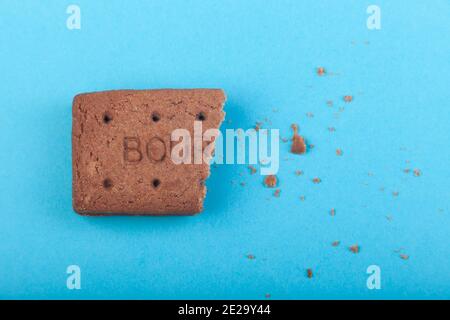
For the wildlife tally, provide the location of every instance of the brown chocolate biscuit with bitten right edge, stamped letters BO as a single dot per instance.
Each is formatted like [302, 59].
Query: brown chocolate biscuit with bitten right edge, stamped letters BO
[121, 150]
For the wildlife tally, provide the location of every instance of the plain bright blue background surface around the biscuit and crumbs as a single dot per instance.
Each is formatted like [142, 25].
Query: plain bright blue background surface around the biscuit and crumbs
[264, 55]
